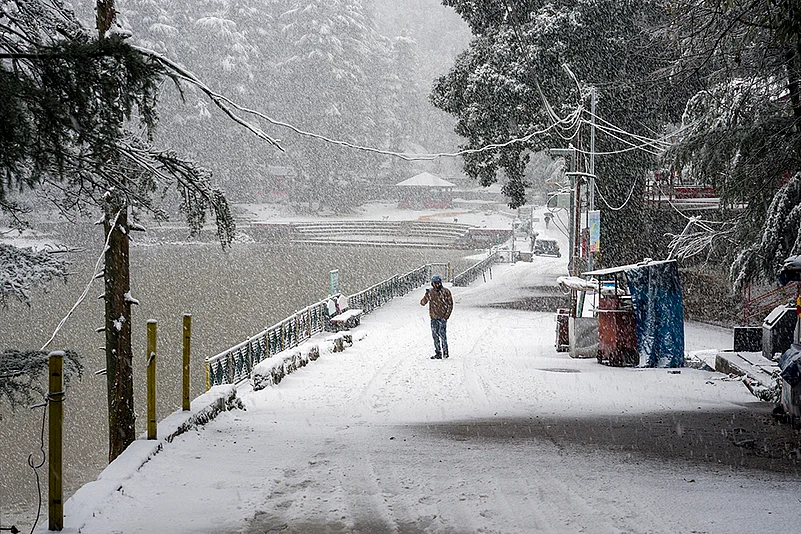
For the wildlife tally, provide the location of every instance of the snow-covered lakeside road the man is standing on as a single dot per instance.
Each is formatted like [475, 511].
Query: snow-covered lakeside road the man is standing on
[505, 436]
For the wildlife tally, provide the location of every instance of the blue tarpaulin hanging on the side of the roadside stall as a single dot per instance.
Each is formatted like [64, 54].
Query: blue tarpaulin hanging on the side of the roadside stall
[659, 309]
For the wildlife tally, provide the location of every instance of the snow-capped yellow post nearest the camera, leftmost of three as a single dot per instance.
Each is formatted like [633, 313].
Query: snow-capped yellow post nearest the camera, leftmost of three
[55, 507]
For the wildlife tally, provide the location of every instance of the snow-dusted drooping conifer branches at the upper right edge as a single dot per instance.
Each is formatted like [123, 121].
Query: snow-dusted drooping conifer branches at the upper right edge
[742, 127]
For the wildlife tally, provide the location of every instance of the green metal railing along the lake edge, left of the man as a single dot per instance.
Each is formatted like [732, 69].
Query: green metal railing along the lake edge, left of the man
[236, 363]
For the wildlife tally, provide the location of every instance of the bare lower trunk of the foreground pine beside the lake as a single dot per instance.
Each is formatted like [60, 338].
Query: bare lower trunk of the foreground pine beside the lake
[119, 369]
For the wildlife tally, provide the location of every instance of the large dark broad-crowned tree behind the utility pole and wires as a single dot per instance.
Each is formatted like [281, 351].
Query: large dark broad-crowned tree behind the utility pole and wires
[497, 89]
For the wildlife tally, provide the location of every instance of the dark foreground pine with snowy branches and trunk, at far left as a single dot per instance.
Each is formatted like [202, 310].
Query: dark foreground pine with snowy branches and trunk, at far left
[71, 104]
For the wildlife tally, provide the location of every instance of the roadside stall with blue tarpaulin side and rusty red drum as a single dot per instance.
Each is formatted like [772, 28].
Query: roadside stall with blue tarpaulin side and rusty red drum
[640, 315]
